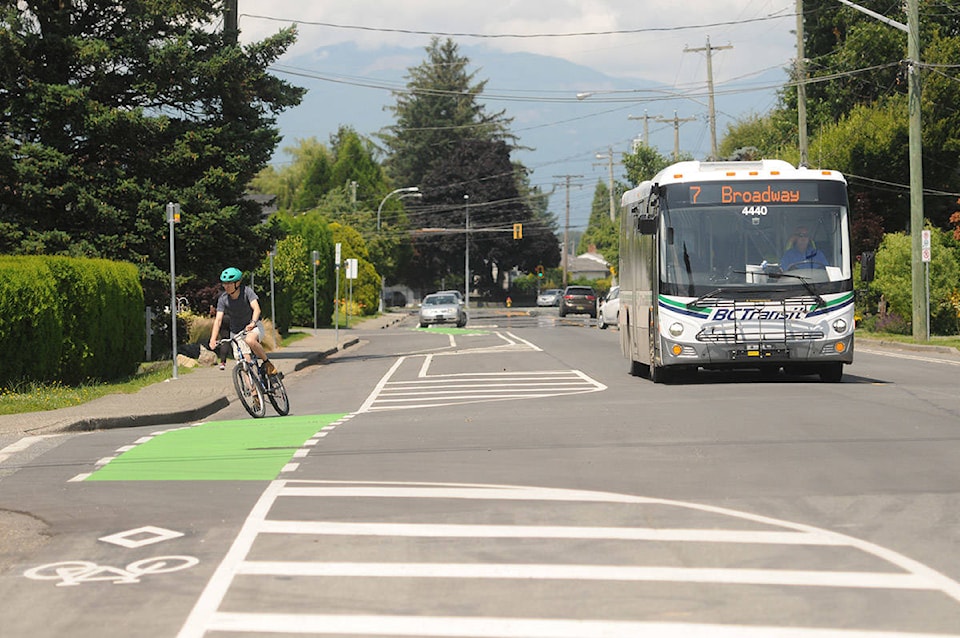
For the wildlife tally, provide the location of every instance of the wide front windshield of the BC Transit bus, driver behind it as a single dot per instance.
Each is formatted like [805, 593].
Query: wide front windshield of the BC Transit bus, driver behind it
[758, 245]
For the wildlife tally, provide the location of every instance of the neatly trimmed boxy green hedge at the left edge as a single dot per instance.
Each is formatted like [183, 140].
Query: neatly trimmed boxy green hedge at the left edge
[69, 320]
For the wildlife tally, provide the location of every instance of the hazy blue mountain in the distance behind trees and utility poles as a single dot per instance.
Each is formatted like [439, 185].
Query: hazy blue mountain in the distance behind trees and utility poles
[351, 86]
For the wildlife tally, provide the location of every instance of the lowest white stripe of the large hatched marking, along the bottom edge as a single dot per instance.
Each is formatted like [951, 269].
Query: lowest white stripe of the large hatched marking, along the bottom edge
[320, 624]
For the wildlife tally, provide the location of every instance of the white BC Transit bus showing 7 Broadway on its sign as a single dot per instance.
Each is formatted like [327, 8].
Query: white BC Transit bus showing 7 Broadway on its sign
[737, 265]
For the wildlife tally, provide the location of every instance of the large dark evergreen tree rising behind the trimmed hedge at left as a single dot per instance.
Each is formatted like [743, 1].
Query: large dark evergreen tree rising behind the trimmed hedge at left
[111, 109]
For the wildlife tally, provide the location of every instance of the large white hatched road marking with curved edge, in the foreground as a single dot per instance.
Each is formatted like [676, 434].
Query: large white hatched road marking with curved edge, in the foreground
[901, 573]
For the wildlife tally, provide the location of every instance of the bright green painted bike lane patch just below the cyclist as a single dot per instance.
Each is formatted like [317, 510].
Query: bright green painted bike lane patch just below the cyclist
[239, 450]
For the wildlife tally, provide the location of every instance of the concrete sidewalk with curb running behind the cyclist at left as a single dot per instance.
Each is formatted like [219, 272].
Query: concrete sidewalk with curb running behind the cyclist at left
[195, 394]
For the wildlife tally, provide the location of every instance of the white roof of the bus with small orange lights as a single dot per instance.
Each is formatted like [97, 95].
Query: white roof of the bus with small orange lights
[696, 171]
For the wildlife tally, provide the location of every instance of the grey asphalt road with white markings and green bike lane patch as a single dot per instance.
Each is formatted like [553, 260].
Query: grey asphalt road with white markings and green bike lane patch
[510, 479]
